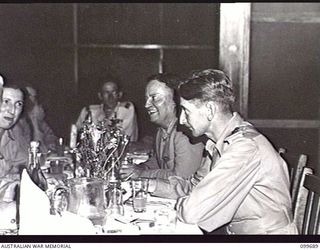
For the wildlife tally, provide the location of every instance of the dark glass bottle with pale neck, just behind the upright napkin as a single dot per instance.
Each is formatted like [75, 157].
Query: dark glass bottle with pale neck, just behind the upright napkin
[34, 166]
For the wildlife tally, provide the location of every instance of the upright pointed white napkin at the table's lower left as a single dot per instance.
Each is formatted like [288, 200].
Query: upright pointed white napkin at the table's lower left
[35, 217]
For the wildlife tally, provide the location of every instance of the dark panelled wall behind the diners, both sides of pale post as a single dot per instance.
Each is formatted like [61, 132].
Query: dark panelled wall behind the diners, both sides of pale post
[63, 49]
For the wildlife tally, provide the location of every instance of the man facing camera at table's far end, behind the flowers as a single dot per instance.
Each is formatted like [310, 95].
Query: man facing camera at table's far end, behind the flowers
[121, 114]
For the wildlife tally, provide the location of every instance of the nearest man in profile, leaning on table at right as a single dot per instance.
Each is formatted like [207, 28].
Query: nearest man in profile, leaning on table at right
[247, 187]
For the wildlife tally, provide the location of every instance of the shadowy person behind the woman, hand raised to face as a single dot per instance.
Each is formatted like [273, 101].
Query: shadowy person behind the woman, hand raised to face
[33, 122]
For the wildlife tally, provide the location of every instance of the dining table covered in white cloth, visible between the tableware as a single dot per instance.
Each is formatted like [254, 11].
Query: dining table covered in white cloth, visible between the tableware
[158, 218]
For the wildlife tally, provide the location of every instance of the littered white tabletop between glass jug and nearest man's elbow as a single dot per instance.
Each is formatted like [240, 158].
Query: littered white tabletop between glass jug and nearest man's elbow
[159, 218]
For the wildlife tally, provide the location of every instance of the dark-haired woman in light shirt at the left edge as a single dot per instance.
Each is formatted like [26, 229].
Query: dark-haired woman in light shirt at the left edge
[13, 144]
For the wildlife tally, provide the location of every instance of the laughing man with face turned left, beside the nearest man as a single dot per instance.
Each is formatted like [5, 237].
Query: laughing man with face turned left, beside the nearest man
[175, 155]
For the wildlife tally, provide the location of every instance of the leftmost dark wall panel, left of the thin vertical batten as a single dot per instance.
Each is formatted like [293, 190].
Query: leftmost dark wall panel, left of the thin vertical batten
[36, 46]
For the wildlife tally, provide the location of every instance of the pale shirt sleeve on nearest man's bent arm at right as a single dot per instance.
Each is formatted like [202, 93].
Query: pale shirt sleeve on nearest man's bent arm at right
[217, 197]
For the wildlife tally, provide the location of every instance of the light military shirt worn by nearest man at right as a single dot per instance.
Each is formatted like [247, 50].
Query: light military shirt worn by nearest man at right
[247, 186]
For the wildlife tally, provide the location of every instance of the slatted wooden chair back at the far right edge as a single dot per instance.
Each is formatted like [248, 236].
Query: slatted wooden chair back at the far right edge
[311, 221]
